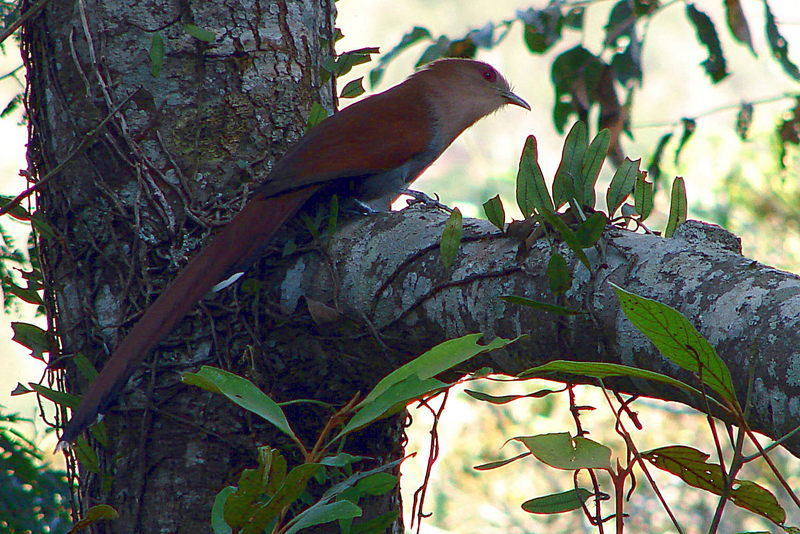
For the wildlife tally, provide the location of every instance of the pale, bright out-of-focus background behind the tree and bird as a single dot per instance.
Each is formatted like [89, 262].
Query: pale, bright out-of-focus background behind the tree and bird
[748, 186]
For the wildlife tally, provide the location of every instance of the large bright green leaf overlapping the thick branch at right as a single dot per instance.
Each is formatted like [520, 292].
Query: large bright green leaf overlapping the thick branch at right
[678, 341]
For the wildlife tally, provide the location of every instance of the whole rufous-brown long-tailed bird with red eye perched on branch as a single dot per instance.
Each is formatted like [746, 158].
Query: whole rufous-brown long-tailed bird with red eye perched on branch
[372, 150]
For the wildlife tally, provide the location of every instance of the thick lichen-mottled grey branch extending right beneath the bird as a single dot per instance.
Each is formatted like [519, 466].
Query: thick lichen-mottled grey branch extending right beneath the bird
[748, 311]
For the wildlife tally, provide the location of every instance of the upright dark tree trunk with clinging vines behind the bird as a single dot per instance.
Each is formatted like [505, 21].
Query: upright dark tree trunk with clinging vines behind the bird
[156, 120]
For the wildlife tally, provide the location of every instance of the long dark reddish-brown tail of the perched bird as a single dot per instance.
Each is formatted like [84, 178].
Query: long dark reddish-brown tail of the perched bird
[241, 239]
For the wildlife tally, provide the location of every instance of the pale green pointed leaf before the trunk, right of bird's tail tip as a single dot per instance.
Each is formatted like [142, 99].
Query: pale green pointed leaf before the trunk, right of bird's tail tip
[242, 392]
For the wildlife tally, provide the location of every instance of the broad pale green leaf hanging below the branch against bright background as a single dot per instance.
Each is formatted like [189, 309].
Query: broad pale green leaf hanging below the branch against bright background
[562, 451]
